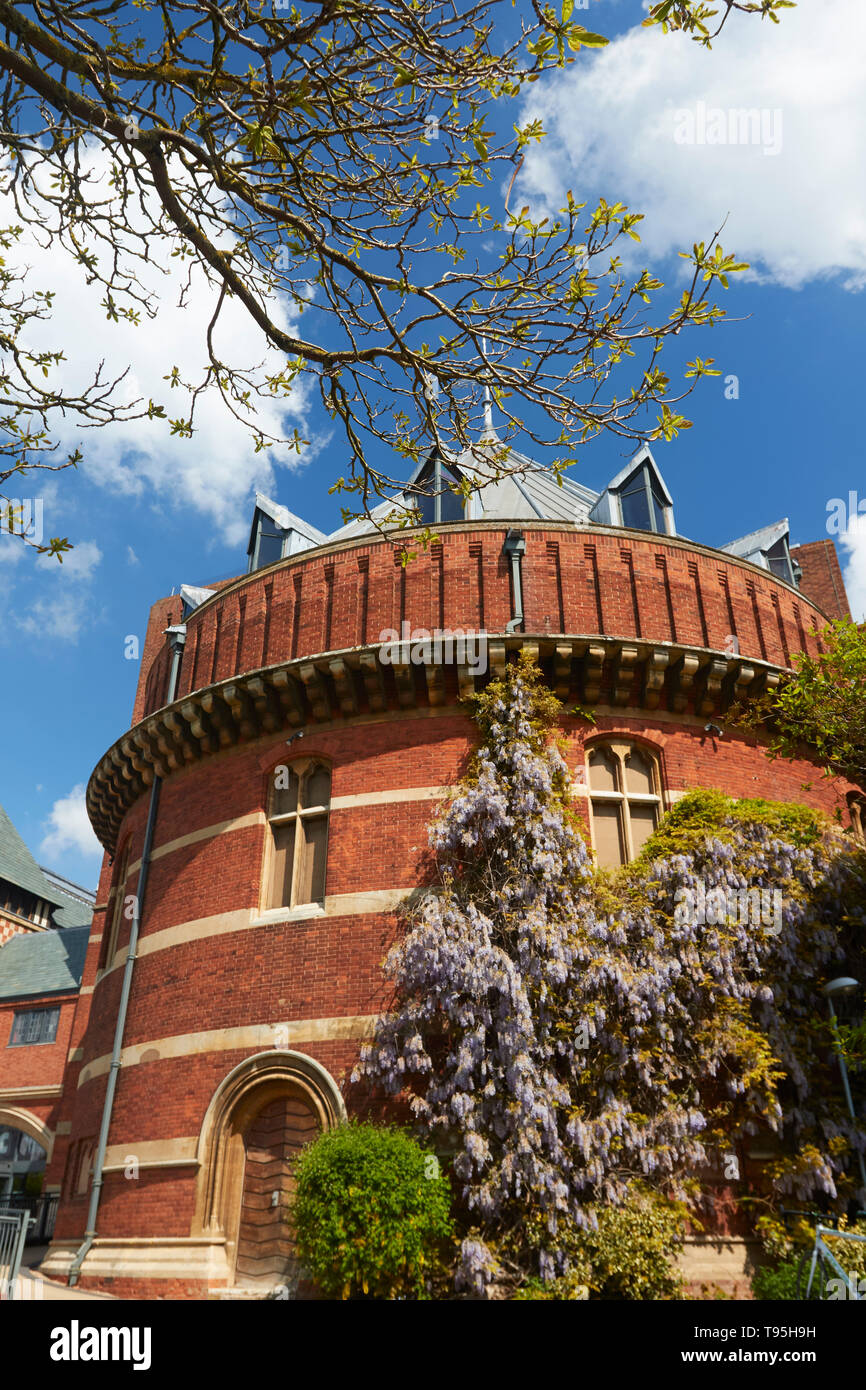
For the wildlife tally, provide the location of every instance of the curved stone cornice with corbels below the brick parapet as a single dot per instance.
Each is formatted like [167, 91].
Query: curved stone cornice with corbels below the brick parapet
[333, 689]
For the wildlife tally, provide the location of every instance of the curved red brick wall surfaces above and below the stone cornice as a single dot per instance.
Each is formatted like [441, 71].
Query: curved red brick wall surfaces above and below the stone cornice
[230, 974]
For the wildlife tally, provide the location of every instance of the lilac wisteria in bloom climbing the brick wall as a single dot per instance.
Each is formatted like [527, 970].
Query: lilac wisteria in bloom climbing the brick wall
[568, 1036]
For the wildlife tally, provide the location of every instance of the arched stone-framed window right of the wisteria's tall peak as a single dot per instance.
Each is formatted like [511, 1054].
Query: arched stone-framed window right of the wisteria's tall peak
[625, 800]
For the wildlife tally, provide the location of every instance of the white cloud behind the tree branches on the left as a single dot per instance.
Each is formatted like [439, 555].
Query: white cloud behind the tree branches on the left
[216, 469]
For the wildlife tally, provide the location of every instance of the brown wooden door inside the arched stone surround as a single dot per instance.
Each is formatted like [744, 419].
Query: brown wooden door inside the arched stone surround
[276, 1136]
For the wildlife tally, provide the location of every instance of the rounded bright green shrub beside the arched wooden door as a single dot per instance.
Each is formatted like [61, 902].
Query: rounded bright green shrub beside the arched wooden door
[372, 1214]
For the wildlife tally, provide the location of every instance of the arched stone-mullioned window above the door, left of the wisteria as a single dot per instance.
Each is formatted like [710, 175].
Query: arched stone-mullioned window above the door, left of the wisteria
[298, 818]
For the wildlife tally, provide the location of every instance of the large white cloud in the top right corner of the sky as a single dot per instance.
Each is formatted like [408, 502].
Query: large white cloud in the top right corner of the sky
[796, 215]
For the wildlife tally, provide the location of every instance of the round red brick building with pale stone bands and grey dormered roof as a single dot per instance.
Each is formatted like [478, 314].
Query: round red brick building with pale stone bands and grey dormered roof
[293, 735]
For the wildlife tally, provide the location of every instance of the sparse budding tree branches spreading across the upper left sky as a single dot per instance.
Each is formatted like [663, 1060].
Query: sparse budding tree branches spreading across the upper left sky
[336, 167]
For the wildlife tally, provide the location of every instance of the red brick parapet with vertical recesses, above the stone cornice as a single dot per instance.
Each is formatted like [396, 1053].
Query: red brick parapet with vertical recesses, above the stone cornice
[578, 582]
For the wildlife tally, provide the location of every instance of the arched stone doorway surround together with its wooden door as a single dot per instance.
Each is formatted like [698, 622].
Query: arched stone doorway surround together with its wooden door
[258, 1121]
